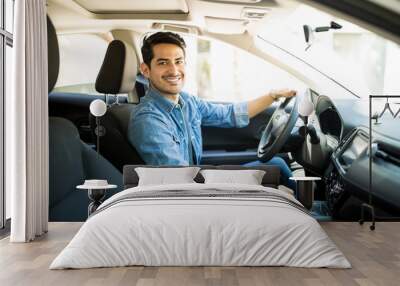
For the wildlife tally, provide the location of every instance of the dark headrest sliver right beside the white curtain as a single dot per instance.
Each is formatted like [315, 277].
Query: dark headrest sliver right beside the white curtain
[53, 55]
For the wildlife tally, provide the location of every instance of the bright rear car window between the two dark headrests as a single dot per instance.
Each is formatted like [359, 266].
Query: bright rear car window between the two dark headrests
[81, 56]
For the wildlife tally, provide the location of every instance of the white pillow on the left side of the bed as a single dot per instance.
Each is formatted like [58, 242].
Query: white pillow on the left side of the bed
[164, 176]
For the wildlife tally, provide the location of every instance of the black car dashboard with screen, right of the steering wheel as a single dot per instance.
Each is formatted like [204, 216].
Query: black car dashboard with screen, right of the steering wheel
[342, 159]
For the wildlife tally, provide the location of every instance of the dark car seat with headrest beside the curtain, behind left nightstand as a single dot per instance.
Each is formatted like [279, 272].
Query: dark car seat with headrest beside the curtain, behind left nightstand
[71, 161]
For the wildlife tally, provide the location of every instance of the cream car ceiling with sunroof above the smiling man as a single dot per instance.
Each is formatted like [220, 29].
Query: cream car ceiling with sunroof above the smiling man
[102, 15]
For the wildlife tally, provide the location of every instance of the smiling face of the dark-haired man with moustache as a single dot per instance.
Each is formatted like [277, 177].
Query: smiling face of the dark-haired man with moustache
[167, 69]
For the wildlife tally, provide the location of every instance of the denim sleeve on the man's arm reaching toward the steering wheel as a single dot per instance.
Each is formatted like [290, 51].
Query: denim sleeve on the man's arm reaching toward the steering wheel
[223, 115]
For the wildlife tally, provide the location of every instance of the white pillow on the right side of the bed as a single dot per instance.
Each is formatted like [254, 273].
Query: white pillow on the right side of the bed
[248, 177]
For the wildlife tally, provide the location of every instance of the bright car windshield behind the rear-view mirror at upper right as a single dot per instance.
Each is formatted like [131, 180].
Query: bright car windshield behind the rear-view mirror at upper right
[359, 60]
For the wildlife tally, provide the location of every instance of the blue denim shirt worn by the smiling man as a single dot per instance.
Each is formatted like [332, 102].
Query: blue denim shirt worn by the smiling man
[159, 129]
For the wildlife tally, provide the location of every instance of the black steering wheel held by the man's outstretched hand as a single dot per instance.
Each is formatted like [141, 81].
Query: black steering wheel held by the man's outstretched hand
[278, 130]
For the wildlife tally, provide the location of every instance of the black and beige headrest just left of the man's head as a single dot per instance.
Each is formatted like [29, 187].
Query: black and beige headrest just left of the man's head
[118, 71]
